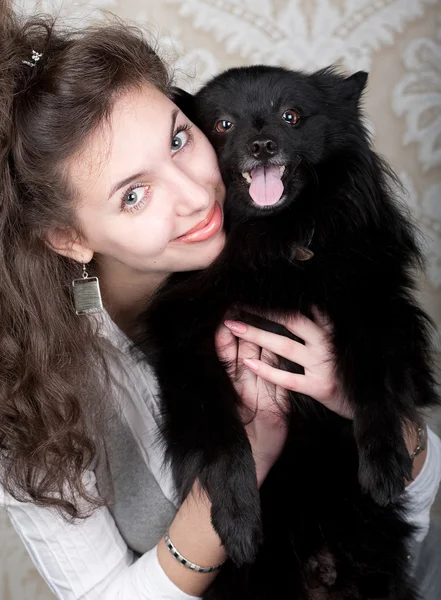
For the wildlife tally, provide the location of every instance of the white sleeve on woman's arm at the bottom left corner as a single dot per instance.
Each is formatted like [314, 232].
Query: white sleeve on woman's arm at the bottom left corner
[88, 559]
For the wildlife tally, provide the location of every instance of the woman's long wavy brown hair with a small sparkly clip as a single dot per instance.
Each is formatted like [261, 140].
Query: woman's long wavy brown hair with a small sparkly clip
[52, 362]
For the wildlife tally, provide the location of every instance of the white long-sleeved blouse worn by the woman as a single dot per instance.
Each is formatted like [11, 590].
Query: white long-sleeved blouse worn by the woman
[89, 560]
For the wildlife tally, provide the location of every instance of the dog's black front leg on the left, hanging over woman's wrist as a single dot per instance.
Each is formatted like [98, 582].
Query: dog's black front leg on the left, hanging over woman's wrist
[204, 437]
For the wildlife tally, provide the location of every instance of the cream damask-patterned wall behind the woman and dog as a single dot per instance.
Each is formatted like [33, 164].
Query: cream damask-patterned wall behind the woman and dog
[397, 41]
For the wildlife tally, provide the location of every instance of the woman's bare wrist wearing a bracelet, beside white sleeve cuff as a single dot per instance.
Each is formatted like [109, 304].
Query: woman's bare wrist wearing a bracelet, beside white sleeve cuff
[194, 537]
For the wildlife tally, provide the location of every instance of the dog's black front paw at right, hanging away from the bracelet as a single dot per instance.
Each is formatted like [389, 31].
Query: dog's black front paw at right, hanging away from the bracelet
[383, 472]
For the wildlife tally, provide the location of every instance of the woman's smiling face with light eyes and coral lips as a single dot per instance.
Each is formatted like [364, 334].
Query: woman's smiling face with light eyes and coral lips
[143, 183]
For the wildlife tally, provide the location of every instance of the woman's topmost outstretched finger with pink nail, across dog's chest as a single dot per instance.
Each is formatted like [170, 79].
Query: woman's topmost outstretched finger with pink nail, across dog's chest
[277, 344]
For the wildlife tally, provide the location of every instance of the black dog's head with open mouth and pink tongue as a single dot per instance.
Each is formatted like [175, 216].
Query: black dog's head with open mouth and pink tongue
[272, 127]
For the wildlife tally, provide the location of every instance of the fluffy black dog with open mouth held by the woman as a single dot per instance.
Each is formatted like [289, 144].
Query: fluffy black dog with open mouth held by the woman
[317, 226]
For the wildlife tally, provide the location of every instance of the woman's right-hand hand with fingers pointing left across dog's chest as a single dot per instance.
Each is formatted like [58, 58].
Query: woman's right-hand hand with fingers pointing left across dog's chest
[315, 356]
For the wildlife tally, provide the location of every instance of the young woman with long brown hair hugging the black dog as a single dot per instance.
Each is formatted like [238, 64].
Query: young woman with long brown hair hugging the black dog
[98, 167]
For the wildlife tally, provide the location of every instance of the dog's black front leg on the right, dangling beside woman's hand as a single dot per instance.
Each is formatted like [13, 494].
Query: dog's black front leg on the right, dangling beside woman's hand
[386, 375]
